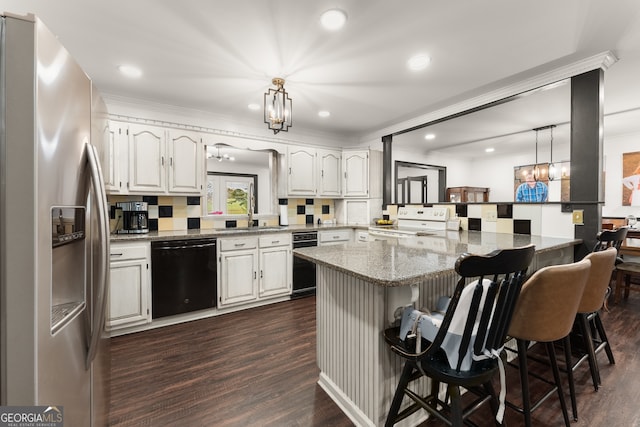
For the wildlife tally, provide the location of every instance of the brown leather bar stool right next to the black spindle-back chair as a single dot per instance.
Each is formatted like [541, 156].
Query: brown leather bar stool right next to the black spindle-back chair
[544, 313]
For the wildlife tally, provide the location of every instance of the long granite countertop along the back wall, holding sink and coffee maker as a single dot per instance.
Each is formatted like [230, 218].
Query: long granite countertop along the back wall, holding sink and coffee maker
[225, 232]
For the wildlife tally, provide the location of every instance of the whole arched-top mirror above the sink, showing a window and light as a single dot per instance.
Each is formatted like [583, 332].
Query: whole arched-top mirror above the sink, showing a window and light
[228, 179]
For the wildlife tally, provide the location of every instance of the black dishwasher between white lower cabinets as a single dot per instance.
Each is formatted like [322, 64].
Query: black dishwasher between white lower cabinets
[183, 276]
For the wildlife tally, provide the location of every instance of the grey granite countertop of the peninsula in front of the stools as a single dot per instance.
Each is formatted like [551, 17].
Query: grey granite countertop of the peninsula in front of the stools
[409, 260]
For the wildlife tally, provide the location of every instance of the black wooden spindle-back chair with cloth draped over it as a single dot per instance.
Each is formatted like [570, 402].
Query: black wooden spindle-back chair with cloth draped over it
[463, 347]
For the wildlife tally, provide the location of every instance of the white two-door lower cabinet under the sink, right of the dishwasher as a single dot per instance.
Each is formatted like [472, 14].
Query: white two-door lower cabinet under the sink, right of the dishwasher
[254, 268]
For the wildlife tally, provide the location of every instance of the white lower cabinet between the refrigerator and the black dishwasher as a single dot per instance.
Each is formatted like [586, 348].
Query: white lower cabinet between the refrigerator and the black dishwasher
[129, 287]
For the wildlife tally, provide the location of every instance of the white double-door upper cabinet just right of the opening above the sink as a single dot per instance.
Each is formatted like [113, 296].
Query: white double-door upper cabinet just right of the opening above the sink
[310, 172]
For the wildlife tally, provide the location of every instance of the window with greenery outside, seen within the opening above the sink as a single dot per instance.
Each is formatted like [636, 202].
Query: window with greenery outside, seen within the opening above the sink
[228, 194]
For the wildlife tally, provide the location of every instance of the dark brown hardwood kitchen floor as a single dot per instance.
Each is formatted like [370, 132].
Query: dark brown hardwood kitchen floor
[257, 368]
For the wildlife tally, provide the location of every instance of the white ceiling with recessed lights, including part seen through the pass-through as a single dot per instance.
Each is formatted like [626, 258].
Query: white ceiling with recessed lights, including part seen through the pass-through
[218, 57]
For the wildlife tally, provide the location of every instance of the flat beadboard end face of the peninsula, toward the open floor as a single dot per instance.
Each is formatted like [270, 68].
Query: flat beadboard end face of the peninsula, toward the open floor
[349, 319]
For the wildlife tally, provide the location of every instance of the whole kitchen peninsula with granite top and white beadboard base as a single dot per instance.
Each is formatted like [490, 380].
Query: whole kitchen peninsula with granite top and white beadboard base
[359, 288]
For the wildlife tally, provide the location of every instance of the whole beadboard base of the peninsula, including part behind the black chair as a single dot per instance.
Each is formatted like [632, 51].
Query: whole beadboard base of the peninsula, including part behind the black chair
[358, 370]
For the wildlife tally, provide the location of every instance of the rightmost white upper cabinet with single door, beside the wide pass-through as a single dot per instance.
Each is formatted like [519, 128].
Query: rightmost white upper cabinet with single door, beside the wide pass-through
[362, 173]
